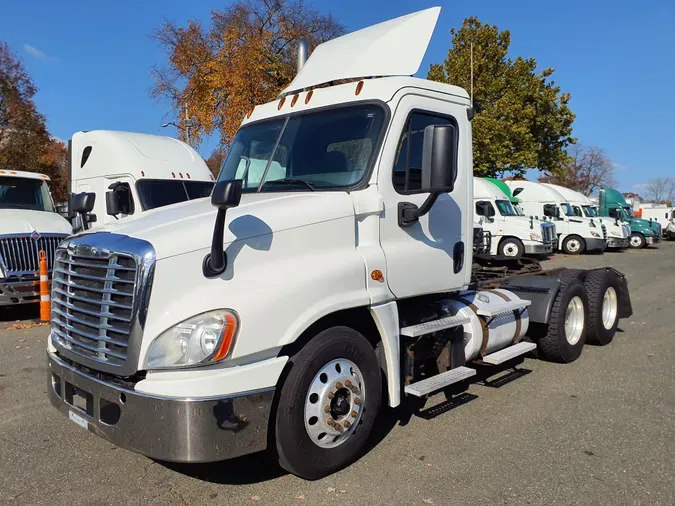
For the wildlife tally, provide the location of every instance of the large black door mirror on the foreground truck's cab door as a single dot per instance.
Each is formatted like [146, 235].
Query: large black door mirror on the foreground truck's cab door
[439, 171]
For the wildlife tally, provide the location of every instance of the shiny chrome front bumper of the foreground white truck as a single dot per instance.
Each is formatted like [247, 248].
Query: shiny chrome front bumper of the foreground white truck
[169, 429]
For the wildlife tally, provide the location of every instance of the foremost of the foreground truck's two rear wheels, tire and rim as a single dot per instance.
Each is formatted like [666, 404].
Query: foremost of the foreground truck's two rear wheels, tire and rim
[566, 333]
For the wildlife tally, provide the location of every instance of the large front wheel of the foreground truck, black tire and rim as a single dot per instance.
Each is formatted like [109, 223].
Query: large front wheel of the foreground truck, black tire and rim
[328, 403]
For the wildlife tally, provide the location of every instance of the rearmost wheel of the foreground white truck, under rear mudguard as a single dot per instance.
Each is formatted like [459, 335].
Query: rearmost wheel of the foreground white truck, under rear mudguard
[603, 306]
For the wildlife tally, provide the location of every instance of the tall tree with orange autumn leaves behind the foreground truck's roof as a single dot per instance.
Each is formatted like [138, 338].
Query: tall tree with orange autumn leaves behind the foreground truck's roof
[246, 57]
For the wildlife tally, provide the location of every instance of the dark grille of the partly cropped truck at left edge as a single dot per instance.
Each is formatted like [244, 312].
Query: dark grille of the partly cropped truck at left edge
[19, 253]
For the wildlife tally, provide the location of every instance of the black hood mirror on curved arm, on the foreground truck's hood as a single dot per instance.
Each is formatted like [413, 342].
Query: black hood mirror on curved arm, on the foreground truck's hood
[225, 195]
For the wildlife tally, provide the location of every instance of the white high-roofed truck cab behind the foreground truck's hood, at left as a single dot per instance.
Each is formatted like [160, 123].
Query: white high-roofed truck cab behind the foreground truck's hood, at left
[130, 173]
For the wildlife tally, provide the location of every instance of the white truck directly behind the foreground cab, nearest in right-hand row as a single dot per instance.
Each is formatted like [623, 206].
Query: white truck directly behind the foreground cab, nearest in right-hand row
[512, 235]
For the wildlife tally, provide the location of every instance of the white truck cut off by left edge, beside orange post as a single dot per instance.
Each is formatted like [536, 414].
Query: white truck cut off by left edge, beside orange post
[28, 224]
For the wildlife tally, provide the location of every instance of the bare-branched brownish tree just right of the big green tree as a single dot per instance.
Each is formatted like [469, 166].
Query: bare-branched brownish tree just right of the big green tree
[587, 170]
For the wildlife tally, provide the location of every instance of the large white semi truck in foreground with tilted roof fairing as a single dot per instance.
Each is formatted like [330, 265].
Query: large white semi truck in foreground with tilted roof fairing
[283, 314]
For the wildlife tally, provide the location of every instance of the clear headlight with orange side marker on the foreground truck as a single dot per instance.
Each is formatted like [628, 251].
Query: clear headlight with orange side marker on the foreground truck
[202, 339]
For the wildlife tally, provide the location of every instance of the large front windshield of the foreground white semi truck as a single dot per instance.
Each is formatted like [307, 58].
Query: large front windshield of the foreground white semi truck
[332, 148]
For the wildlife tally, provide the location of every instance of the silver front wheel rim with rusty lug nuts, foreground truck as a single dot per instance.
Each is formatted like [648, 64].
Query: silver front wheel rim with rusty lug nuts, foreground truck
[334, 403]
